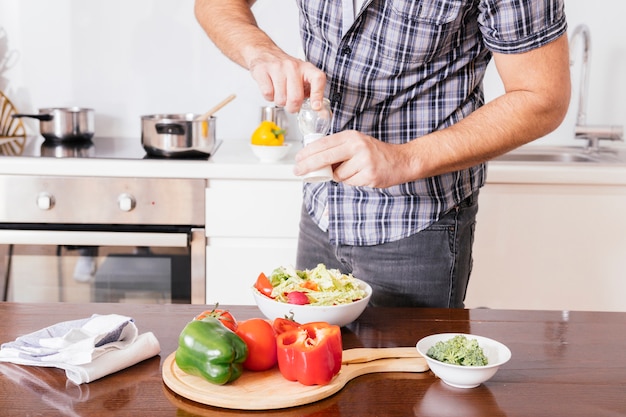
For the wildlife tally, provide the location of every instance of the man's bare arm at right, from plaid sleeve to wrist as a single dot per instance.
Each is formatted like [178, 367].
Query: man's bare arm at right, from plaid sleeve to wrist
[537, 95]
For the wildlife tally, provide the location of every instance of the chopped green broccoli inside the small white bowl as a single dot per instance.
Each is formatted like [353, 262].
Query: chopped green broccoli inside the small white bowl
[458, 351]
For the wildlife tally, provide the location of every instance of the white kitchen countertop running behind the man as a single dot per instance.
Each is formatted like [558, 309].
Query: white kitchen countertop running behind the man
[235, 160]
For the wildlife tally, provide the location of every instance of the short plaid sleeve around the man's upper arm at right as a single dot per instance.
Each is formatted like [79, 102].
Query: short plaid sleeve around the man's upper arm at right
[516, 26]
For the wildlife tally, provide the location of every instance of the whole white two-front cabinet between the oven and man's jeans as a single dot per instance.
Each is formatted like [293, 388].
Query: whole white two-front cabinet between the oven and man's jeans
[251, 227]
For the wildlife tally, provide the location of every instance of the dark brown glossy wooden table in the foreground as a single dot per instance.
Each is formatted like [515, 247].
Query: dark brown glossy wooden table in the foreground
[564, 364]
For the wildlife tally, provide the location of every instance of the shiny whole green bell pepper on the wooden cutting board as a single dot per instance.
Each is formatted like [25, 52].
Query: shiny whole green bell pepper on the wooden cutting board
[206, 348]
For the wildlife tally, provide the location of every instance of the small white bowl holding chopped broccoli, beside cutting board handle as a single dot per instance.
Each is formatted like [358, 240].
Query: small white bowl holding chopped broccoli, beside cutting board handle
[465, 376]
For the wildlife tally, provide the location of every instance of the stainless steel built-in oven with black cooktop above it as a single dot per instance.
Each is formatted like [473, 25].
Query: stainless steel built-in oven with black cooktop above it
[101, 239]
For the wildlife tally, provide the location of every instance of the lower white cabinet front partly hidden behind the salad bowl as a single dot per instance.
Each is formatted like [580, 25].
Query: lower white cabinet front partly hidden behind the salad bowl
[233, 264]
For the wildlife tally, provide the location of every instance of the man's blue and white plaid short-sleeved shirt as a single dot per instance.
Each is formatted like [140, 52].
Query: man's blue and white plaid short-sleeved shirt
[401, 69]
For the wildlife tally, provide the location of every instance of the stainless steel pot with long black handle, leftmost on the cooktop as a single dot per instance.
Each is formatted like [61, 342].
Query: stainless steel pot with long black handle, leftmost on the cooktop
[61, 124]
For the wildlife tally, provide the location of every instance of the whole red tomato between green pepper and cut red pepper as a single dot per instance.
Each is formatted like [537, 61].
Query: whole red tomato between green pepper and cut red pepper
[259, 336]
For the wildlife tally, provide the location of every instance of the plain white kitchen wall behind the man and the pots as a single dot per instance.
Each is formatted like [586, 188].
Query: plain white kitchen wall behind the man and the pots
[130, 58]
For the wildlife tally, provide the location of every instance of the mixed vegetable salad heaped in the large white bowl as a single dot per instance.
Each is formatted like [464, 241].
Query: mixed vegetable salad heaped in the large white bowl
[318, 287]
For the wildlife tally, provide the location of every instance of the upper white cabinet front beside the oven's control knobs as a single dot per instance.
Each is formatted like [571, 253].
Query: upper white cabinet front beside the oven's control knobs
[253, 208]
